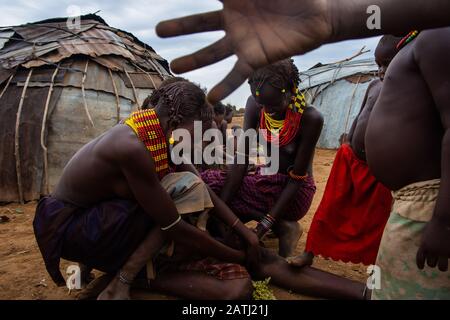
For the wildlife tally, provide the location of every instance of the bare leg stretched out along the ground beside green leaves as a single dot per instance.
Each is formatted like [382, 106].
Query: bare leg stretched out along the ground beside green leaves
[308, 280]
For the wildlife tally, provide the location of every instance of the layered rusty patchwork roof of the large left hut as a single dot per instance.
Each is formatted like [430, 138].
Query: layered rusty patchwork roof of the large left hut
[51, 41]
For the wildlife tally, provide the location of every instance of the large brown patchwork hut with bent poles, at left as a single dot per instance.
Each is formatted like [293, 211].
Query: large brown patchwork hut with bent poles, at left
[60, 87]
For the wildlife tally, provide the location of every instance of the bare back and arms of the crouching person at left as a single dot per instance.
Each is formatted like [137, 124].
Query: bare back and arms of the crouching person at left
[117, 165]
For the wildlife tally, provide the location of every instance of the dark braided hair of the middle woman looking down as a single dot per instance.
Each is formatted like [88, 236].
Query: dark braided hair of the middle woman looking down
[281, 74]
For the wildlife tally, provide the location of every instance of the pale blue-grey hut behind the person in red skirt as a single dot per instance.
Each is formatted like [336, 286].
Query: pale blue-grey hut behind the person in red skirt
[337, 90]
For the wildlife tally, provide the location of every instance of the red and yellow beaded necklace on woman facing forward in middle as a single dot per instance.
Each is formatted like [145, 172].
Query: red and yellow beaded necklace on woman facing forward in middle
[282, 132]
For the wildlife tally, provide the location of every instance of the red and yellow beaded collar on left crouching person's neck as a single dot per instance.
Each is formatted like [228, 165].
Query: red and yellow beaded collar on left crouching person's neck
[146, 125]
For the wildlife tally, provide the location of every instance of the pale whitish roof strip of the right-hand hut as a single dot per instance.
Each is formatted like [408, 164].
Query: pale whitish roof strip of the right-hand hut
[332, 72]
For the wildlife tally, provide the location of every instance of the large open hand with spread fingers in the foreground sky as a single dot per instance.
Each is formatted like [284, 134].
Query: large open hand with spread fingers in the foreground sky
[259, 32]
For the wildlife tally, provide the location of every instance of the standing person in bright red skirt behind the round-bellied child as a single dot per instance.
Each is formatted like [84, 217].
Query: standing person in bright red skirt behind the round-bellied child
[351, 217]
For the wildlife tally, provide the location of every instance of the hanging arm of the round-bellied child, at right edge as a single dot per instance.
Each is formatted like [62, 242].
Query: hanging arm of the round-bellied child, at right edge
[435, 247]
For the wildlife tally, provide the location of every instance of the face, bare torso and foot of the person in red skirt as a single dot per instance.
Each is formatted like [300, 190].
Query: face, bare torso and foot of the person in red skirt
[384, 54]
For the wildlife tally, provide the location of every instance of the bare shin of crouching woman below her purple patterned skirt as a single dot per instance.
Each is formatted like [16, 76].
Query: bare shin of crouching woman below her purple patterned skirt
[289, 234]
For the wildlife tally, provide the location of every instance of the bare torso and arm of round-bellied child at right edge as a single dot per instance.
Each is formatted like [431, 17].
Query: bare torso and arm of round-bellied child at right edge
[408, 136]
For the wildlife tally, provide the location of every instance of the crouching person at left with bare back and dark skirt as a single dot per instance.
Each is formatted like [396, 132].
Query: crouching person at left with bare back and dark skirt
[122, 185]
